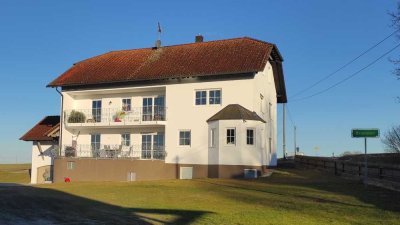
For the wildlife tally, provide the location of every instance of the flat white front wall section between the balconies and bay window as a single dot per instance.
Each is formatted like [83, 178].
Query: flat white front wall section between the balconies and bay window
[183, 114]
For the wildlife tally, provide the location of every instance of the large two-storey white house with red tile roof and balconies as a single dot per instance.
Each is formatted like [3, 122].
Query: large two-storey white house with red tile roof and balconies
[203, 109]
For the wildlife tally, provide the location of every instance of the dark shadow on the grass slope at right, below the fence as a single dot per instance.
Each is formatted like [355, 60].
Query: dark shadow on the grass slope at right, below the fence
[369, 197]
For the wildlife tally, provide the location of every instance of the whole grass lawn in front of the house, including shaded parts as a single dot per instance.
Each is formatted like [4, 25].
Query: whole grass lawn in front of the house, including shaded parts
[287, 197]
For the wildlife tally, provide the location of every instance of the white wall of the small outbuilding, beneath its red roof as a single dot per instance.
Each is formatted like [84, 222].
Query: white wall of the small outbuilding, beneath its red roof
[39, 160]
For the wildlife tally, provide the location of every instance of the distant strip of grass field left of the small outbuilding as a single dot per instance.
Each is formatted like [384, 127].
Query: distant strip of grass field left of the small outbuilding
[14, 173]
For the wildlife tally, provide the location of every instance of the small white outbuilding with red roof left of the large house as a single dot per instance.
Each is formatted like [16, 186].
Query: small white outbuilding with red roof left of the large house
[44, 136]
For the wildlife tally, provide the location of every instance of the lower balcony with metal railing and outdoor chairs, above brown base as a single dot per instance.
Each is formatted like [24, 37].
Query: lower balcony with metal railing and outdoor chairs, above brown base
[114, 152]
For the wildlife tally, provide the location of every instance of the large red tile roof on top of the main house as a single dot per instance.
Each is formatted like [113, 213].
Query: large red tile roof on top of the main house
[230, 56]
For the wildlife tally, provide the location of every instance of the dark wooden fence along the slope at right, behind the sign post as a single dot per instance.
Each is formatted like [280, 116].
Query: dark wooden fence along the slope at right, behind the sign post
[386, 172]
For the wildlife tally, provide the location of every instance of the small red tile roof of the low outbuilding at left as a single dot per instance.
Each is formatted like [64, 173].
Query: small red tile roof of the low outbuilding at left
[41, 130]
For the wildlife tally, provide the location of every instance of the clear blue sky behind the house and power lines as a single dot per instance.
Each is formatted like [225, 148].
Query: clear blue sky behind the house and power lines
[41, 39]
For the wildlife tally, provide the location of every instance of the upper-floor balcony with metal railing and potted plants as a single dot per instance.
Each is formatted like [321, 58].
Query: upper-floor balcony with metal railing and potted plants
[106, 117]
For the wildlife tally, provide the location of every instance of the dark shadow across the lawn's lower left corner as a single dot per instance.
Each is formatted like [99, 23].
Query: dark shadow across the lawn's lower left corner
[30, 205]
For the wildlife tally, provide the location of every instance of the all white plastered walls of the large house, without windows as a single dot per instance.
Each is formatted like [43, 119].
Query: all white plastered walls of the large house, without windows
[255, 94]
